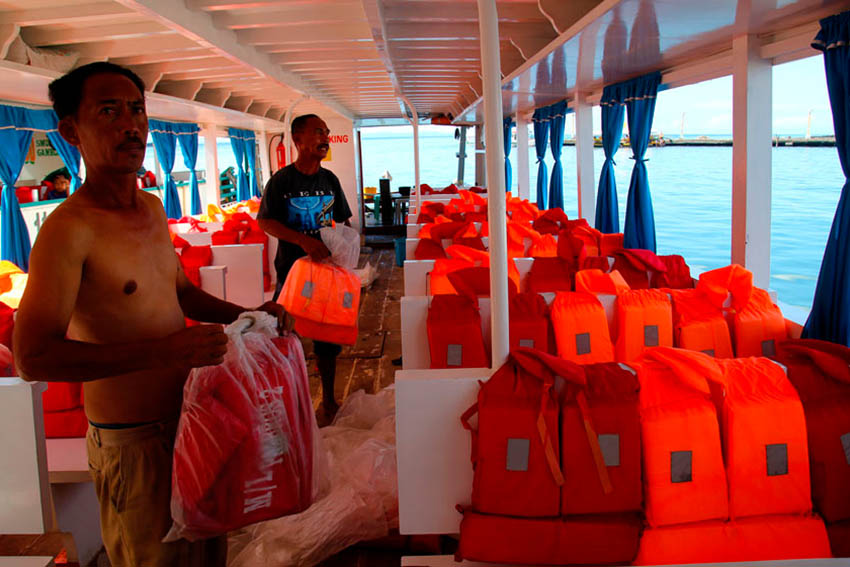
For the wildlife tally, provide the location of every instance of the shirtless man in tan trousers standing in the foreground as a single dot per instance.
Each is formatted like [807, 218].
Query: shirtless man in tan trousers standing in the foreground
[105, 305]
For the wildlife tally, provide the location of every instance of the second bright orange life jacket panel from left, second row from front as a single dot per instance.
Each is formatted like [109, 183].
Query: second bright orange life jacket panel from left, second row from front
[644, 320]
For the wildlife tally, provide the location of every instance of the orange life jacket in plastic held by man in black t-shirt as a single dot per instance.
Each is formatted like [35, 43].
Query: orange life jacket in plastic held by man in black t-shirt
[324, 299]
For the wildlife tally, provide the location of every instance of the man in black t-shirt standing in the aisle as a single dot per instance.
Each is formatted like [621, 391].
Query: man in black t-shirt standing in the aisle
[298, 201]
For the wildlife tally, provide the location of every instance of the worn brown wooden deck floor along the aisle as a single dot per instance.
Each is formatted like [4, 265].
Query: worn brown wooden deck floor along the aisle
[368, 365]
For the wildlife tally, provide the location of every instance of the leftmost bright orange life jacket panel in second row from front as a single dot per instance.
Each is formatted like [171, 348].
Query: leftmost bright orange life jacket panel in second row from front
[581, 328]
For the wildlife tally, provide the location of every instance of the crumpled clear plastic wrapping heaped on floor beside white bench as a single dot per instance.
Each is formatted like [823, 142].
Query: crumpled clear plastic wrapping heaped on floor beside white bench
[363, 499]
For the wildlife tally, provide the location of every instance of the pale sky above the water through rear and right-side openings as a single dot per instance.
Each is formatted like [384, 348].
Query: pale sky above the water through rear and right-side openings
[707, 106]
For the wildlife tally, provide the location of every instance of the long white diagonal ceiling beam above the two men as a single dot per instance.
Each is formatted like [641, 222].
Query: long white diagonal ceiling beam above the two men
[200, 28]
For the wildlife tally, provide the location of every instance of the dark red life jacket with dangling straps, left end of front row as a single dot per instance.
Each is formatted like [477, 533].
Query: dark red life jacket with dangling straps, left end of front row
[556, 476]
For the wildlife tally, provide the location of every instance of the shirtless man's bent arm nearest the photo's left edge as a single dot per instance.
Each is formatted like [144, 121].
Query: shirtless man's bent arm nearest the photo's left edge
[42, 351]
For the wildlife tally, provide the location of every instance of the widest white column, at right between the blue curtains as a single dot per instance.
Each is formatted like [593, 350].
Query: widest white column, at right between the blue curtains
[751, 158]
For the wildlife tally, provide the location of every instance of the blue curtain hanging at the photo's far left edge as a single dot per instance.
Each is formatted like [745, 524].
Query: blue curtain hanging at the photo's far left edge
[14, 144]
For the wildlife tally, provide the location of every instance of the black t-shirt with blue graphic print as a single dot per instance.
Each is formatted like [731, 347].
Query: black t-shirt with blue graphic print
[304, 203]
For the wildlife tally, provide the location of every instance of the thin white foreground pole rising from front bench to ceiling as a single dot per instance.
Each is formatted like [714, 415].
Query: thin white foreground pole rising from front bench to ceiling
[488, 22]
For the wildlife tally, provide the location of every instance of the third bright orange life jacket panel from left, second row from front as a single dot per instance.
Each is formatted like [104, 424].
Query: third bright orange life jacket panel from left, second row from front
[700, 325]
